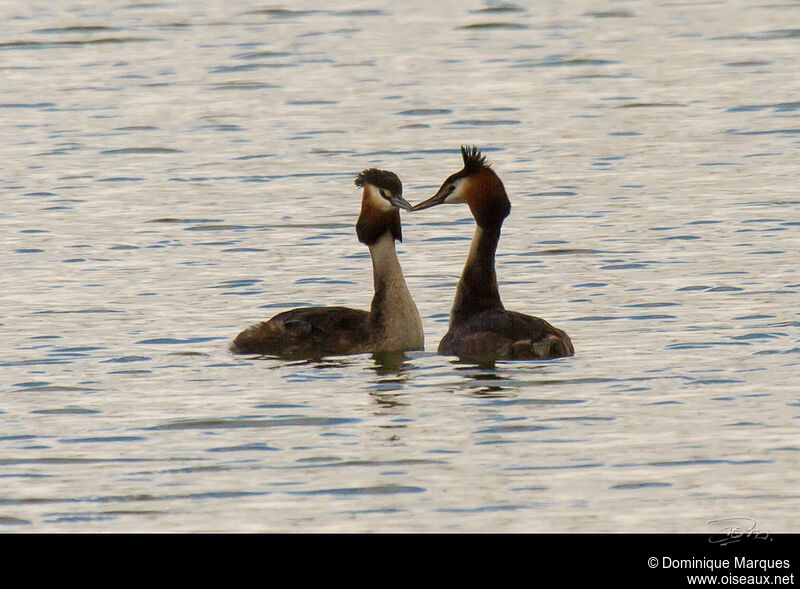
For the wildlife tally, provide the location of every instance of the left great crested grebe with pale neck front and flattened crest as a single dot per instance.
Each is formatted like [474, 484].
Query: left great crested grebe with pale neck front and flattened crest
[392, 323]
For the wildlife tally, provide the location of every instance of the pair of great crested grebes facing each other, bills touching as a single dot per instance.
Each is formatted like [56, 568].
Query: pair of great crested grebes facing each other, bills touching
[480, 327]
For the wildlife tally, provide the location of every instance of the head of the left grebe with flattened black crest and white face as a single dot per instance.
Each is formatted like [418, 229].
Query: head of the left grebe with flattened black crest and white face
[381, 198]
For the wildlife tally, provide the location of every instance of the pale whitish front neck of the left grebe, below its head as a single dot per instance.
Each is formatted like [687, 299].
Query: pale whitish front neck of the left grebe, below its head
[394, 318]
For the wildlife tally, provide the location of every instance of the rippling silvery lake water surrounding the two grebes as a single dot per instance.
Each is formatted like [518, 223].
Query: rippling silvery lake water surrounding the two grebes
[173, 172]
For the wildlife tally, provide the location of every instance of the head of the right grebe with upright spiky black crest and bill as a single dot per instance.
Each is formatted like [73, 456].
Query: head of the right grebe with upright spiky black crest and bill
[477, 185]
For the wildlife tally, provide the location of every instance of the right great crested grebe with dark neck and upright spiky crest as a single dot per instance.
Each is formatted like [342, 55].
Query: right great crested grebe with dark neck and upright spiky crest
[480, 327]
